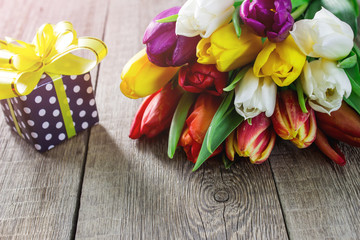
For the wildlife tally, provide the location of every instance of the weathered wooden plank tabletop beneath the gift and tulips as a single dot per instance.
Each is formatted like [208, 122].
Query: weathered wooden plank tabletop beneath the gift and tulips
[102, 185]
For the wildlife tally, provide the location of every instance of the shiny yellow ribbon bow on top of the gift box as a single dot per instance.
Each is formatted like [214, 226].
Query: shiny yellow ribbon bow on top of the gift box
[22, 64]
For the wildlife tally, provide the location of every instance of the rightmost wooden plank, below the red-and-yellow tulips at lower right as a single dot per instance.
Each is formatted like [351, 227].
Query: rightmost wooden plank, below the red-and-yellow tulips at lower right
[320, 200]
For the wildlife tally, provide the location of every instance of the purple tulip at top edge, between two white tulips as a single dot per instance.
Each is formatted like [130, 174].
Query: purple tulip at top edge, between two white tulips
[271, 19]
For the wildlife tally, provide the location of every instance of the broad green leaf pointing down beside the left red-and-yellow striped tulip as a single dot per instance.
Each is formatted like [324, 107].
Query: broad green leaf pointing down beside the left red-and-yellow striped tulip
[219, 130]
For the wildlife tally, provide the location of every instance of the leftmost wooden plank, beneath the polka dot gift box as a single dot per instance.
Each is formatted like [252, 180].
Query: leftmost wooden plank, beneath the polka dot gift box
[39, 192]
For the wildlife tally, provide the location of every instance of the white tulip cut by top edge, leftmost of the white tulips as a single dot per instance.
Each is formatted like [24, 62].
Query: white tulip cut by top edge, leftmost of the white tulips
[203, 17]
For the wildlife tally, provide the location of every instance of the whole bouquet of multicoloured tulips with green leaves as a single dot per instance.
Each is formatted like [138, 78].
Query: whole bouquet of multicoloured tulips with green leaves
[228, 76]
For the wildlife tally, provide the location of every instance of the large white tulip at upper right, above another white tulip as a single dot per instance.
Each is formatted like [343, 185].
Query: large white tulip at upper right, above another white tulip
[324, 36]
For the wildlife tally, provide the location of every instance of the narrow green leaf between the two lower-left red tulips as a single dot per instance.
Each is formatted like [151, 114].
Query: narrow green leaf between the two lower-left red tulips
[178, 121]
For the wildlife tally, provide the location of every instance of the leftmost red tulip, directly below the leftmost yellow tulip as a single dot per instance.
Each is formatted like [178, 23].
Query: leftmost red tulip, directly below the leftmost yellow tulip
[156, 112]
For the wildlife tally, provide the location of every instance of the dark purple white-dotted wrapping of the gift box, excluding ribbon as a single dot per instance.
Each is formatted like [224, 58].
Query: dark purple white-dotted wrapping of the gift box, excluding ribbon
[39, 116]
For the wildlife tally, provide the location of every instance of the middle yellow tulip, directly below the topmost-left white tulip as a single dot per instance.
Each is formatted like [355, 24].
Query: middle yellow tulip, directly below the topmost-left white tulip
[226, 50]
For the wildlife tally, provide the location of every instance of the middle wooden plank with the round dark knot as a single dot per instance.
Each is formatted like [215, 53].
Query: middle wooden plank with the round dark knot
[131, 189]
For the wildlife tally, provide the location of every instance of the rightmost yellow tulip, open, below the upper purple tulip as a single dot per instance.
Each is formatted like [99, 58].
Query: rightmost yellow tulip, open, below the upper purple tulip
[282, 61]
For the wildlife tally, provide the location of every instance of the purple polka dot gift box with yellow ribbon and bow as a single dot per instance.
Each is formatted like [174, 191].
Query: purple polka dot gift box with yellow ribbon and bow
[45, 90]
